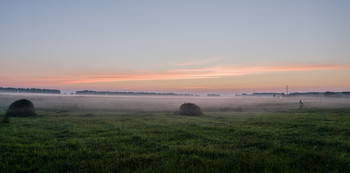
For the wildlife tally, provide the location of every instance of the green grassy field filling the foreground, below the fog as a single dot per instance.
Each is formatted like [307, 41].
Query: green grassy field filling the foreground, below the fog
[293, 141]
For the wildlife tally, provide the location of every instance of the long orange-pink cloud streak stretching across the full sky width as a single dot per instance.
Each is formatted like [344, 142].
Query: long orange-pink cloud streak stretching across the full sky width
[175, 74]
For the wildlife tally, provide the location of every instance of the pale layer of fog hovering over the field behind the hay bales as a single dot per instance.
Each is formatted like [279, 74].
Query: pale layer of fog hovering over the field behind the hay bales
[171, 103]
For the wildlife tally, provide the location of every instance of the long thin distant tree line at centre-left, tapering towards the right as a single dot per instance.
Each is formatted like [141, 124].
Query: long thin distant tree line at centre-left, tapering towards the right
[90, 92]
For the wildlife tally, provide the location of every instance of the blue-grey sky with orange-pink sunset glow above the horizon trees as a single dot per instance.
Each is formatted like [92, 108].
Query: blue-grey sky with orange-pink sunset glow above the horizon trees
[177, 46]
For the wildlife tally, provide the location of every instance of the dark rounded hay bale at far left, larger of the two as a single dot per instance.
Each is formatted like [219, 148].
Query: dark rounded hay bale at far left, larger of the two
[21, 108]
